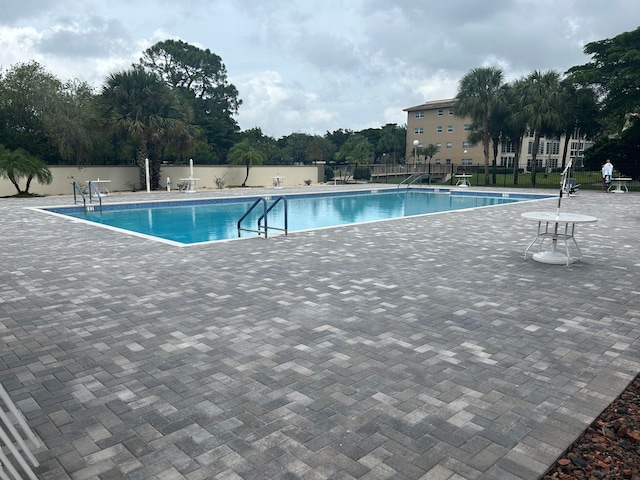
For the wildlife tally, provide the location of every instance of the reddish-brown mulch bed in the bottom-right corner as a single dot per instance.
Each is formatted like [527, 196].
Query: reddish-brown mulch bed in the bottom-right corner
[610, 447]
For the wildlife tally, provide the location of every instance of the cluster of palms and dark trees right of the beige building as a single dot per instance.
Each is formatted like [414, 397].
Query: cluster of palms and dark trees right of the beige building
[599, 100]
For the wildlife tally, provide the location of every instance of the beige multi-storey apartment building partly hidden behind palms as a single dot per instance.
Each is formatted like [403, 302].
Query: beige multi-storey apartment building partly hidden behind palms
[436, 123]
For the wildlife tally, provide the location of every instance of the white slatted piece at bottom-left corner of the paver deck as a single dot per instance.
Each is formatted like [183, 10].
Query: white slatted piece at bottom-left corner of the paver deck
[15, 435]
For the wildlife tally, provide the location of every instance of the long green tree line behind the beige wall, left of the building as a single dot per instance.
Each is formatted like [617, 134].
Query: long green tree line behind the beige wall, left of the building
[176, 103]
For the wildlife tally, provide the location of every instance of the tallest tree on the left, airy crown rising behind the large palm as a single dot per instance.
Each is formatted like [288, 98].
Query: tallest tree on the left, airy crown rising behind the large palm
[201, 78]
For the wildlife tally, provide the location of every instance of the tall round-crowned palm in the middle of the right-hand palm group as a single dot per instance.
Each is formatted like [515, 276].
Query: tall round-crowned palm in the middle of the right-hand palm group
[542, 108]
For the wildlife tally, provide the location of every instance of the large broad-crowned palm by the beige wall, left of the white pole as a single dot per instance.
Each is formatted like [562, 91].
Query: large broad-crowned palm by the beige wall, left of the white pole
[139, 107]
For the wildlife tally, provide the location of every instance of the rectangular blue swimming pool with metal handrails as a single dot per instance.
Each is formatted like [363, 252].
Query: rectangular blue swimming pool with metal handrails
[207, 220]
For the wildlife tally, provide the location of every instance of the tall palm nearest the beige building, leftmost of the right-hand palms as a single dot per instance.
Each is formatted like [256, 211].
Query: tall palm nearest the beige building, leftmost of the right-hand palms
[477, 95]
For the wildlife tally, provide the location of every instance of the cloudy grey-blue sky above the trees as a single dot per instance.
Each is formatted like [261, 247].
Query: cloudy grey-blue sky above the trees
[314, 66]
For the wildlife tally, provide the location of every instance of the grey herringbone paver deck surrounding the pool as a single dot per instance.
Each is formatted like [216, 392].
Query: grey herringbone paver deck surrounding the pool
[418, 348]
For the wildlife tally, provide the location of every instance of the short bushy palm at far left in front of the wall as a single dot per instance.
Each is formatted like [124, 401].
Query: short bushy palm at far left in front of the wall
[18, 164]
